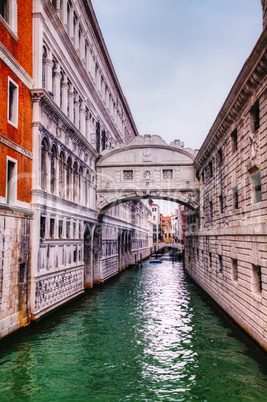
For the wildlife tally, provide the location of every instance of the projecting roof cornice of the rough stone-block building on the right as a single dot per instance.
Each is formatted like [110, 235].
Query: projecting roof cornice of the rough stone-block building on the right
[247, 82]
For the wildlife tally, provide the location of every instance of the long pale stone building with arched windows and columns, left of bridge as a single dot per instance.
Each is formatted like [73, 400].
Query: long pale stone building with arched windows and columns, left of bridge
[79, 110]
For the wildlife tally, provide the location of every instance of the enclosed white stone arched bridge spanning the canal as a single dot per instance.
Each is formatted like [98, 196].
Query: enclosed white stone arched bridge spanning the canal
[147, 168]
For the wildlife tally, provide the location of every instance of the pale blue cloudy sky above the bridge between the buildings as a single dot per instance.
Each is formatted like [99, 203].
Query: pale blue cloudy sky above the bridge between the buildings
[176, 60]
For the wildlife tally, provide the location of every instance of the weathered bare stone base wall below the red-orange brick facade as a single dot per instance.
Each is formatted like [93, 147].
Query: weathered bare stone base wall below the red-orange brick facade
[14, 271]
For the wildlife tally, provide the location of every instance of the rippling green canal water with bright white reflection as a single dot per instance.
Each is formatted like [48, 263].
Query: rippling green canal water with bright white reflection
[149, 335]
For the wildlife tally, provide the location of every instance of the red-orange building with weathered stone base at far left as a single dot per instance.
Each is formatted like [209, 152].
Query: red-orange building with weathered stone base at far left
[16, 162]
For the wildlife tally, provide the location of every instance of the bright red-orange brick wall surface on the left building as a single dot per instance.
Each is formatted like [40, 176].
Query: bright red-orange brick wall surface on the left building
[21, 49]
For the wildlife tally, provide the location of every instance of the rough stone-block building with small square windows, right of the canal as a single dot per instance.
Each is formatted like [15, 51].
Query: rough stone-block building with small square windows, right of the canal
[226, 253]
